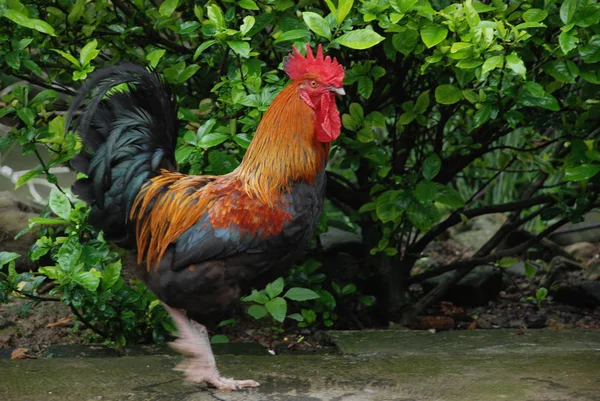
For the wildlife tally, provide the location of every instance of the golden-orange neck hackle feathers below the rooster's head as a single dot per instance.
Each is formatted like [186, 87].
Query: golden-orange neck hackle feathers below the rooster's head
[284, 149]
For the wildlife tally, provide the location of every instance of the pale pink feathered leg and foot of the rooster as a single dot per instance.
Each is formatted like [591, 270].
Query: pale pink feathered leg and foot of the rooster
[199, 365]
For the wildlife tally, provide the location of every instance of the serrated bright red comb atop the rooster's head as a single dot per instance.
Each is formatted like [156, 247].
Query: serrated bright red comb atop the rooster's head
[324, 68]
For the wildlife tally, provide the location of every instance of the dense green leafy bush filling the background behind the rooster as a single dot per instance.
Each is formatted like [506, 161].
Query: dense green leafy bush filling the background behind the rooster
[454, 109]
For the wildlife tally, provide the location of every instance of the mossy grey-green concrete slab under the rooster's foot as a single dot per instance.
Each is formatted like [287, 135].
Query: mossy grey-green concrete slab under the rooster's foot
[460, 366]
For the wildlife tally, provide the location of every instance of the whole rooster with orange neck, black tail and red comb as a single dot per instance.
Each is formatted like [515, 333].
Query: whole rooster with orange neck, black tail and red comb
[204, 240]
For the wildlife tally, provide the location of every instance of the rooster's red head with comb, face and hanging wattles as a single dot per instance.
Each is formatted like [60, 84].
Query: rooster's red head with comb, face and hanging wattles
[319, 79]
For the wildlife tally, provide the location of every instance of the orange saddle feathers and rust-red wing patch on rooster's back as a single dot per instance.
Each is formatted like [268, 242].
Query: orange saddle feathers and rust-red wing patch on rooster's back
[172, 203]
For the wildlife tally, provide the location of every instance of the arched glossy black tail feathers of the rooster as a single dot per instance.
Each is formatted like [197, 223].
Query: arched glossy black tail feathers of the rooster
[129, 135]
